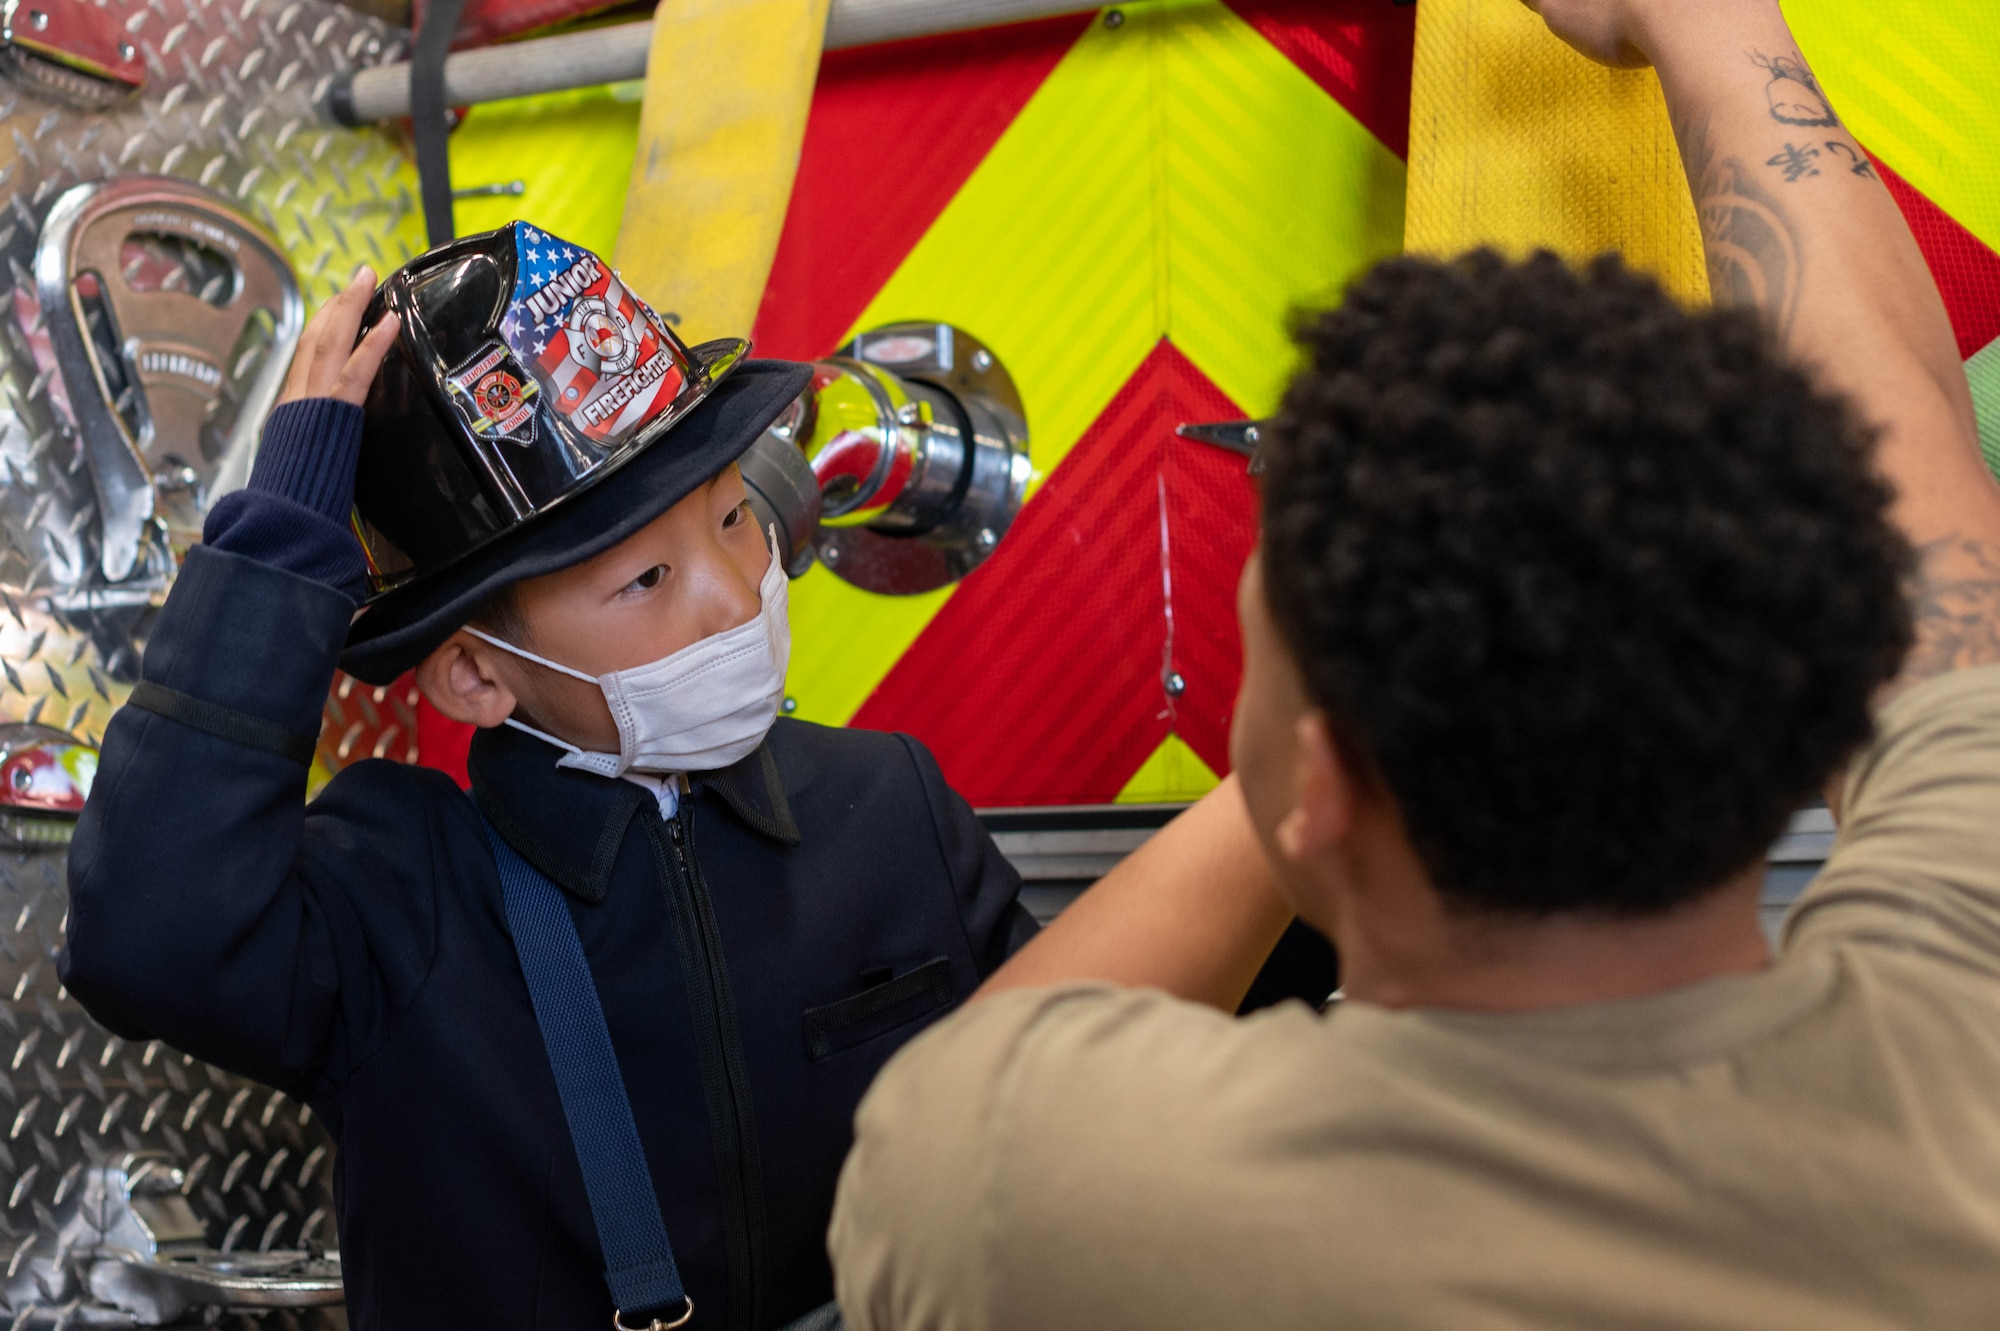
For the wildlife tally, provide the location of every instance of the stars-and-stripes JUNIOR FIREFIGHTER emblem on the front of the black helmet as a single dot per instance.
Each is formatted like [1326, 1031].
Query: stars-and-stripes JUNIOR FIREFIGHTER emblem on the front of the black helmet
[599, 353]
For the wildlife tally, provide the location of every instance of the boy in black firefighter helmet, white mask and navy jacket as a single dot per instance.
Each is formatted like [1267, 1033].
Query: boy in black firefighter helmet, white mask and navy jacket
[593, 1036]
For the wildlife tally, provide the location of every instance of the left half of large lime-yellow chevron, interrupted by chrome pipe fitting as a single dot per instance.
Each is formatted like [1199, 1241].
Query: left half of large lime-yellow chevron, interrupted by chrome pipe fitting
[1049, 257]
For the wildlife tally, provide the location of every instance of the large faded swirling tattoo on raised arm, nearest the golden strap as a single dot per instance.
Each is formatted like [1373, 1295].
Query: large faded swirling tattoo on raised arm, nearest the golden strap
[1751, 241]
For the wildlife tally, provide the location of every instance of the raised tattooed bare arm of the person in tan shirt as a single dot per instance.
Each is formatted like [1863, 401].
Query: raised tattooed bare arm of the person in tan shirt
[1799, 225]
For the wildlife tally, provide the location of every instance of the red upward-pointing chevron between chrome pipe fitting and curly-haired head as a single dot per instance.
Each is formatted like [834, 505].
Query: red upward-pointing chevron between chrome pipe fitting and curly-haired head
[1041, 680]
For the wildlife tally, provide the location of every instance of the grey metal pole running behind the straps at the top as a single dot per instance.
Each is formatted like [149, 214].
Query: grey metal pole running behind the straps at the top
[619, 53]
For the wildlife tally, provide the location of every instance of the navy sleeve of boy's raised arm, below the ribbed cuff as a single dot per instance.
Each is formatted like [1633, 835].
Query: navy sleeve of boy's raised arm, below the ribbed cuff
[211, 906]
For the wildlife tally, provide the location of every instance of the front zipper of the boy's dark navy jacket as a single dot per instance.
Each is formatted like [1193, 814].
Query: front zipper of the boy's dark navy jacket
[725, 1078]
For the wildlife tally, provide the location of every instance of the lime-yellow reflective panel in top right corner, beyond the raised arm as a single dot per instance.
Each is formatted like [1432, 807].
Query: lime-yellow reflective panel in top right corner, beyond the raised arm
[1919, 83]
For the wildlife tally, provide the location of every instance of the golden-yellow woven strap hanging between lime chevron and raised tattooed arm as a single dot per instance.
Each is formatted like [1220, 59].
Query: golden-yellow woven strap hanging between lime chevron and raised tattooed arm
[1521, 143]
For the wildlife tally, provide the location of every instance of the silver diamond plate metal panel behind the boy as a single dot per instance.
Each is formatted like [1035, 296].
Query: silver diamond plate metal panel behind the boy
[231, 103]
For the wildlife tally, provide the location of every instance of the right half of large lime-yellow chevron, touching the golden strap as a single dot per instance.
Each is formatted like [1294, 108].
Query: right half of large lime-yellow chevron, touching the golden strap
[1275, 199]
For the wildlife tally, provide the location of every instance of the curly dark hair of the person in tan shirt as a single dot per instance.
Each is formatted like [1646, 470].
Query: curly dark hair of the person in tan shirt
[1599, 587]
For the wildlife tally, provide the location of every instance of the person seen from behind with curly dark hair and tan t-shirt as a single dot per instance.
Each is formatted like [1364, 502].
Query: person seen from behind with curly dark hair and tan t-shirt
[1567, 599]
